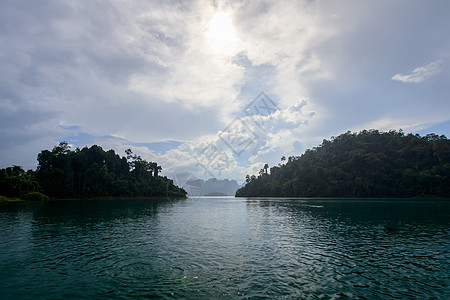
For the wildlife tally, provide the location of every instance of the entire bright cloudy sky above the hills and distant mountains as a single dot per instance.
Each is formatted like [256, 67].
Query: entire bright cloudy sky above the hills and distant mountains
[217, 88]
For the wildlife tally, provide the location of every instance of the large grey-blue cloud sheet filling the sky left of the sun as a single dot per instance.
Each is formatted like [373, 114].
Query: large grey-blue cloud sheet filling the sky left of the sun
[128, 71]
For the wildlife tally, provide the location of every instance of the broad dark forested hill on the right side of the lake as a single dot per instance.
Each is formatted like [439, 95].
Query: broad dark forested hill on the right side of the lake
[365, 164]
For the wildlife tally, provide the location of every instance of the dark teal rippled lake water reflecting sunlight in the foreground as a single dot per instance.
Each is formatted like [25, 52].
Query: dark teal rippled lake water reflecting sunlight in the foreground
[226, 248]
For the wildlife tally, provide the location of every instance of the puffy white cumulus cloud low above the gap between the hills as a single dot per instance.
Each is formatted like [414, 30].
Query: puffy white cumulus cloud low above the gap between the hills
[220, 155]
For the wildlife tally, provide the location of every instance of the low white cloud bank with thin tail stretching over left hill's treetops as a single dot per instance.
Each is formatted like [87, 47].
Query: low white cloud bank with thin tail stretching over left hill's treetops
[223, 155]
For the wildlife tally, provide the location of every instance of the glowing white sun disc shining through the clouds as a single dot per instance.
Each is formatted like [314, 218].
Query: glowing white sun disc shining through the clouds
[221, 33]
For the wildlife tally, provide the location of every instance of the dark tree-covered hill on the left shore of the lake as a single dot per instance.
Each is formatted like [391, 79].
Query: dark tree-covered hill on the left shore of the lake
[87, 172]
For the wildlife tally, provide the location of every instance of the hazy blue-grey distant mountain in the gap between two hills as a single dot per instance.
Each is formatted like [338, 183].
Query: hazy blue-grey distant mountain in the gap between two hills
[212, 186]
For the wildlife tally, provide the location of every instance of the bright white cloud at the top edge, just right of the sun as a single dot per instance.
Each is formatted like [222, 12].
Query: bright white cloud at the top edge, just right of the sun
[286, 37]
